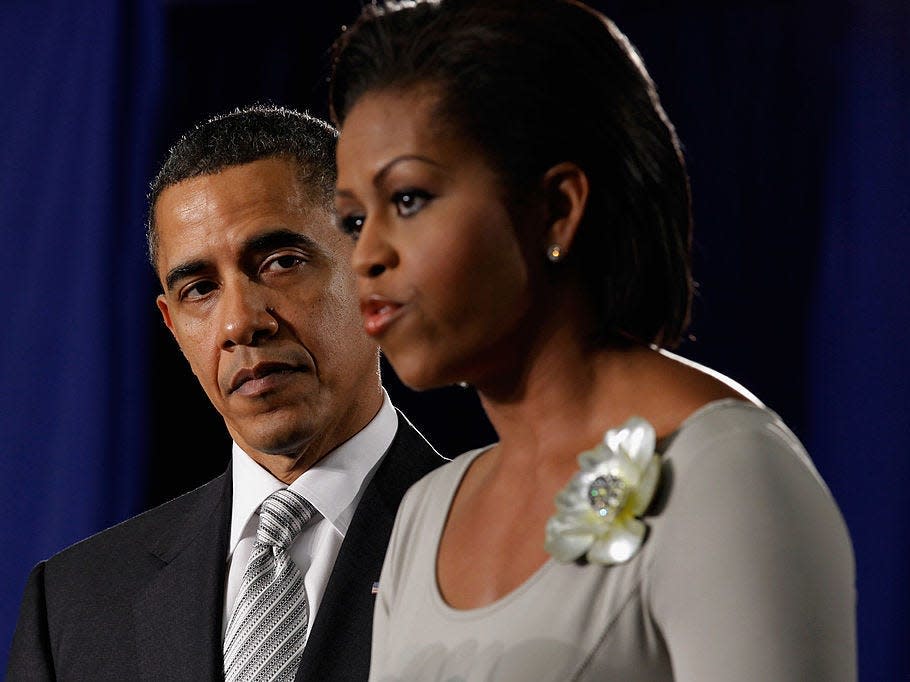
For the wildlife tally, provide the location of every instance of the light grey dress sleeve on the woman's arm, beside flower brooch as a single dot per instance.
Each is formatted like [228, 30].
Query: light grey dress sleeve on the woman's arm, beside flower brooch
[753, 574]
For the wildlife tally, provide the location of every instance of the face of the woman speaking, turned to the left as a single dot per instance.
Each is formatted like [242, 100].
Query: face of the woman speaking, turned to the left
[443, 277]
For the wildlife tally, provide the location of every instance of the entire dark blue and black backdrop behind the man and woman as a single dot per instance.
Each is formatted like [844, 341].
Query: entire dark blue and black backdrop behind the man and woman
[795, 120]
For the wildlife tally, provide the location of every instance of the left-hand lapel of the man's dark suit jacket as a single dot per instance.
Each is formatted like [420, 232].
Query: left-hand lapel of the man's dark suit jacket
[178, 613]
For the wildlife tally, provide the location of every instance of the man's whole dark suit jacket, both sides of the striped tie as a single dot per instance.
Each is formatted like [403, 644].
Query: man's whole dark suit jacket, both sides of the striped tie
[143, 600]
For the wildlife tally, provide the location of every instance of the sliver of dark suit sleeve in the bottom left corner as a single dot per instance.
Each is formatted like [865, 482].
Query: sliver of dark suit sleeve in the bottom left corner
[30, 655]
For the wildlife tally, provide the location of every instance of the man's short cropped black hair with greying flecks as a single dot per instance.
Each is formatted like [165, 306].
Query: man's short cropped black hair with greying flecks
[243, 136]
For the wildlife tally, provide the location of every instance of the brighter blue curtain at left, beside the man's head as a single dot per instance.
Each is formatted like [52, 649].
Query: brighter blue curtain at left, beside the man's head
[78, 92]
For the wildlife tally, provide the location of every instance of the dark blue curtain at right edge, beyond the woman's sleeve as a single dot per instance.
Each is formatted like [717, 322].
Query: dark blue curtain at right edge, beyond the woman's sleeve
[860, 327]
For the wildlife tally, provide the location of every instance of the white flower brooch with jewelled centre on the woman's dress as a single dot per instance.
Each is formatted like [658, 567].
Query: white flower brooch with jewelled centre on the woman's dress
[596, 513]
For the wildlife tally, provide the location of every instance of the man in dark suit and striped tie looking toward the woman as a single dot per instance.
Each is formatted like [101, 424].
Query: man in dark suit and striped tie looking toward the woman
[258, 293]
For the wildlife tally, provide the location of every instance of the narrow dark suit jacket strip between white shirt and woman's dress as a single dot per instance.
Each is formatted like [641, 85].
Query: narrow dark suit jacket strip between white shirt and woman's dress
[338, 647]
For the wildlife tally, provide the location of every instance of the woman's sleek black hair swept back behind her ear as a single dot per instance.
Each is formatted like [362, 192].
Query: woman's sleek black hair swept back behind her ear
[535, 83]
